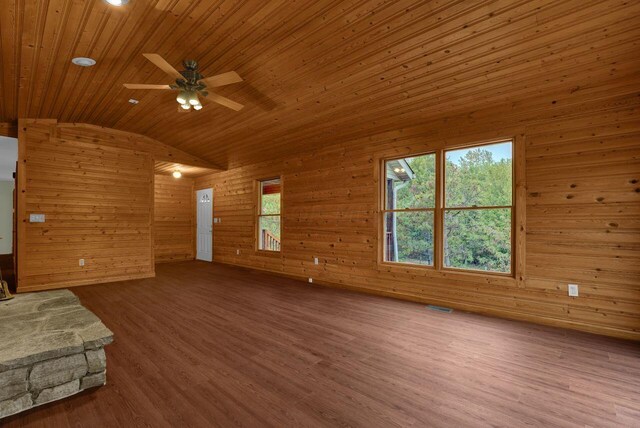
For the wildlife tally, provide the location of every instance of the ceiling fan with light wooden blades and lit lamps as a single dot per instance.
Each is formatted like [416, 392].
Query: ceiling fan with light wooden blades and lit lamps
[191, 84]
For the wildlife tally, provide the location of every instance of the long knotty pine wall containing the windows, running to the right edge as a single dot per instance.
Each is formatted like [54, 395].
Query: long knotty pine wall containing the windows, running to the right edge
[582, 207]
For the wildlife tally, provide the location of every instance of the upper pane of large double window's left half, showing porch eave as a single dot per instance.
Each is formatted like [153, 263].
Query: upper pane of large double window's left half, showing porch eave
[411, 182]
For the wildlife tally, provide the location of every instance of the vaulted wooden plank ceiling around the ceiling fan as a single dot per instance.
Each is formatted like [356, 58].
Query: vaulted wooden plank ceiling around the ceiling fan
[315, 72]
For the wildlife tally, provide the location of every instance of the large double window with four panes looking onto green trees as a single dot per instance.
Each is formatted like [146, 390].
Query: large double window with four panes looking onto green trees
[452, 209]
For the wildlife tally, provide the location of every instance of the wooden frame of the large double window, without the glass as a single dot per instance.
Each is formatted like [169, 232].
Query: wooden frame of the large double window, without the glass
[518, 200]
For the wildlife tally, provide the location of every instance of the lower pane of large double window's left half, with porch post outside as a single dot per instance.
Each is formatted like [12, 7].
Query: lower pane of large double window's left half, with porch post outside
[408, 237]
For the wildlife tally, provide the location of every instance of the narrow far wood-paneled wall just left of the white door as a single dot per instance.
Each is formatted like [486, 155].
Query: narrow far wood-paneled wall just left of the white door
[174, 219]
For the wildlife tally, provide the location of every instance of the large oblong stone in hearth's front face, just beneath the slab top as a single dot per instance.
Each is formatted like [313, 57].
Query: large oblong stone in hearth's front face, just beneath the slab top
[56, 372]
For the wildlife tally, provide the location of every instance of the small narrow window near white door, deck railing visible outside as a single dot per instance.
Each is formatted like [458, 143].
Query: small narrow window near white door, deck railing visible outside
[269, 215]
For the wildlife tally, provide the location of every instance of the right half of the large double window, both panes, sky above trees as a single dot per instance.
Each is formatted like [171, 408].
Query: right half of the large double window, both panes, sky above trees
[478, 207]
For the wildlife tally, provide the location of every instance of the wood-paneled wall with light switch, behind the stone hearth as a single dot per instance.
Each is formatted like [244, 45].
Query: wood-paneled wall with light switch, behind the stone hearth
[97, 198]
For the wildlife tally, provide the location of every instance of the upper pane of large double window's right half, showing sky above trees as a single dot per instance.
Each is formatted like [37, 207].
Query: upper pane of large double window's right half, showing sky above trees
[479, 176]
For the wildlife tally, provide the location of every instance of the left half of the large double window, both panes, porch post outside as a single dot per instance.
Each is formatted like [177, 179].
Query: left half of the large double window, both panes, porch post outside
[409, 206]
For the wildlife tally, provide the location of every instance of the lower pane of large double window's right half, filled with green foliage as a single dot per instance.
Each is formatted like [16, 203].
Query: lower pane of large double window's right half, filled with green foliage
[478, 239]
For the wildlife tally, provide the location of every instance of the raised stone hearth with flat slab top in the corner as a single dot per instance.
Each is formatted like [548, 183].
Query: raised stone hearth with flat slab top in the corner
[51, 347]
